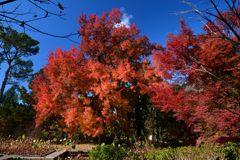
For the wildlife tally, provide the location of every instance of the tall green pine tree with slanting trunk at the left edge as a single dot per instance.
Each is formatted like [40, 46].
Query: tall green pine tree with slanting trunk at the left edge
[15, 48]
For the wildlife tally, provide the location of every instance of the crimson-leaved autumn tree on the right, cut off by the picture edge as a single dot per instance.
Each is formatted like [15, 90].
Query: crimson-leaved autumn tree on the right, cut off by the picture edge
[209, 65]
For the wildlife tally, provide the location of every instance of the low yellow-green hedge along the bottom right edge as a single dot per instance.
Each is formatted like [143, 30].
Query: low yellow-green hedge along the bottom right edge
[209, 151]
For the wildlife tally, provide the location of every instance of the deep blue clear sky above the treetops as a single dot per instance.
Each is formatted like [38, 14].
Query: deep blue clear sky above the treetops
[154, 18]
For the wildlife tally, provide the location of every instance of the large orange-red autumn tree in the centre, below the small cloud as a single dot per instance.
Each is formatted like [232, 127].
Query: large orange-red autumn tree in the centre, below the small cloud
[92, 86]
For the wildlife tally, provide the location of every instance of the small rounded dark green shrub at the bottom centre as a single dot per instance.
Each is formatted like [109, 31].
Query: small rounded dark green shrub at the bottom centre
[107, 152]
